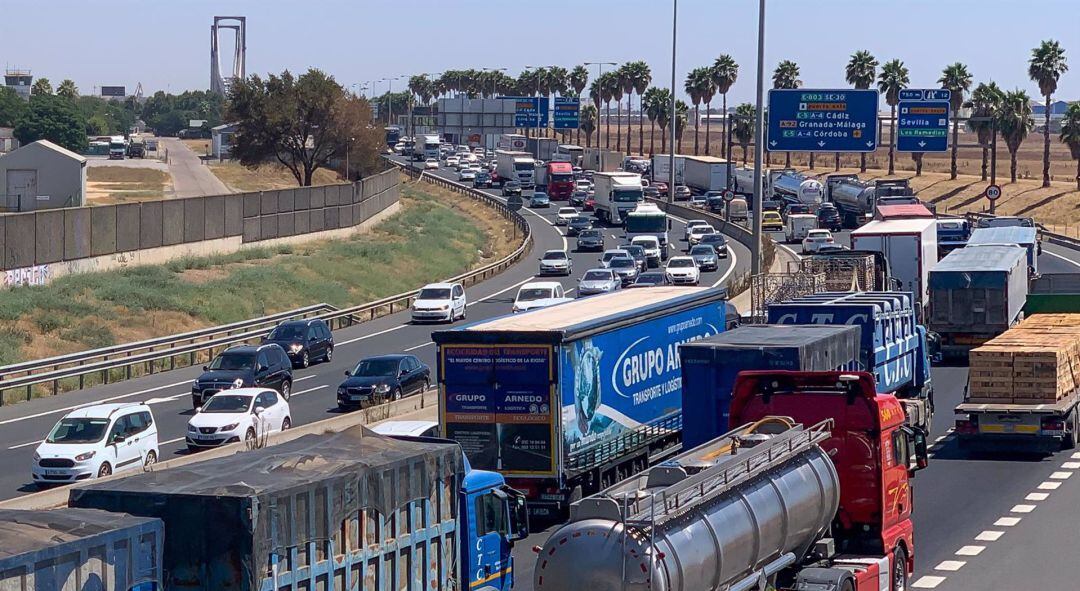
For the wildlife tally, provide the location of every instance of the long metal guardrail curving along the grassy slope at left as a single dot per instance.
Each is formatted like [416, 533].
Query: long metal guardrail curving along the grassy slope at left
[148, 357]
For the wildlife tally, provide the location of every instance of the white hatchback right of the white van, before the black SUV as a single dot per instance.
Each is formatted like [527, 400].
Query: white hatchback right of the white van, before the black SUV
[245, 414]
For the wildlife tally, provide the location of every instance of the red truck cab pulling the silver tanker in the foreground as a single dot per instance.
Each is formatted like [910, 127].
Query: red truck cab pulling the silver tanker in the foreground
[875, 455]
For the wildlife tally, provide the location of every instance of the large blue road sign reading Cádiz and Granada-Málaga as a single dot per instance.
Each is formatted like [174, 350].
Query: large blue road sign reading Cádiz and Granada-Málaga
[804, 120]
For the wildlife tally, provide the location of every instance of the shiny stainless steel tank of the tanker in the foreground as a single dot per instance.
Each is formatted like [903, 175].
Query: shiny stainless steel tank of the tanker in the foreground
[713, 519]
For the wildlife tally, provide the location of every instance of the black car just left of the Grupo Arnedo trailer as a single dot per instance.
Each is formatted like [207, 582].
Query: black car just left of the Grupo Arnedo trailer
[383, 379]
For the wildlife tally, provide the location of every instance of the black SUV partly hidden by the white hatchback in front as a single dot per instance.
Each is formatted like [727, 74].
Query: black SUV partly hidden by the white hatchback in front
[245, 367]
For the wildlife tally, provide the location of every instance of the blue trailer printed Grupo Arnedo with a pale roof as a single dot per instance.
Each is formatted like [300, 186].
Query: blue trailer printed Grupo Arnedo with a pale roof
[565, 399]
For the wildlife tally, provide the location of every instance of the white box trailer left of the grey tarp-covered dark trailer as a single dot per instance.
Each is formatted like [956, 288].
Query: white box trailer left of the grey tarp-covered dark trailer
[911, 248]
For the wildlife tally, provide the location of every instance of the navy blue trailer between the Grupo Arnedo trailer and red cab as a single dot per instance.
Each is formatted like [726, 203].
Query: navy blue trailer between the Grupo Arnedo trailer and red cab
[710, 367]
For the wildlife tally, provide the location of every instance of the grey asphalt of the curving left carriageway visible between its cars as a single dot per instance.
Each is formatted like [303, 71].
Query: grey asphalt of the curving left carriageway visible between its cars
[22, 426]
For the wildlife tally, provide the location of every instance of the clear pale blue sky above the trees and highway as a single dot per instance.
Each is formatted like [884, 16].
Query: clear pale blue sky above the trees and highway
[166, 44]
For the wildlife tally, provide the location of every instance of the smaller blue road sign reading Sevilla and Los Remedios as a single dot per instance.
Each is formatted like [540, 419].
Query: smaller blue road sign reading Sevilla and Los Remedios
[923, 120]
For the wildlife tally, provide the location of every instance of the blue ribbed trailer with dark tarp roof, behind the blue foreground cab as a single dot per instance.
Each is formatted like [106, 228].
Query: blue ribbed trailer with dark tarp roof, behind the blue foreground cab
[272, 519]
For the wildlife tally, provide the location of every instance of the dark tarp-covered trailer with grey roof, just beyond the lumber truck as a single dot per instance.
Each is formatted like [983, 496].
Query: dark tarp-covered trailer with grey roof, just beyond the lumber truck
[976, 294]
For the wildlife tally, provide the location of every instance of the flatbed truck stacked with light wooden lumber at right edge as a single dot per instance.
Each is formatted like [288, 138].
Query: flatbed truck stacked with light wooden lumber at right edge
[1023, 387]
